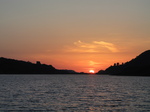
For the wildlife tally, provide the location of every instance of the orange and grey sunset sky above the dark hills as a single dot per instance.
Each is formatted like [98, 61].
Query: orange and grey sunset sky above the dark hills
[80, 35]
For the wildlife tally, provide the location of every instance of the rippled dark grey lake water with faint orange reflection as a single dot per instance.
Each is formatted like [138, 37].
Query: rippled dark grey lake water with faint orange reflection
[100, 93]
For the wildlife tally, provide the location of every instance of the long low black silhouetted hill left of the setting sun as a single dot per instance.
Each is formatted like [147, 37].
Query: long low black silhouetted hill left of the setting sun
[11, 66]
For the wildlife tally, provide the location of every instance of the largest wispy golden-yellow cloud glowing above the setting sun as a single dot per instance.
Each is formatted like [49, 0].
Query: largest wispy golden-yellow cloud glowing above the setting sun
[93, 47]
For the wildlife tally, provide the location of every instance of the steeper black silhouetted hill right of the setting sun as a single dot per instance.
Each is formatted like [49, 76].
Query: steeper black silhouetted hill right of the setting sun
[140, 66]
